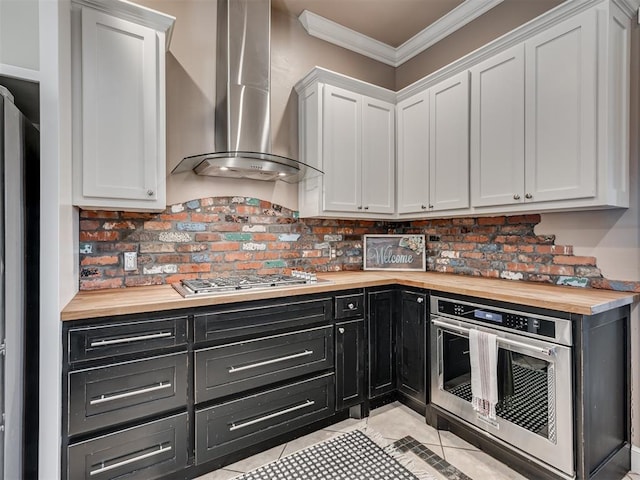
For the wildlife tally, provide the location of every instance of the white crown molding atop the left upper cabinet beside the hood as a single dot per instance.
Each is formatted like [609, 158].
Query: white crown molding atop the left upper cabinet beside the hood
[134, 13]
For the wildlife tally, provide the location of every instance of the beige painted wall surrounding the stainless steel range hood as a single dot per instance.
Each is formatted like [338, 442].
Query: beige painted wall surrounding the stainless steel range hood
[191, 74]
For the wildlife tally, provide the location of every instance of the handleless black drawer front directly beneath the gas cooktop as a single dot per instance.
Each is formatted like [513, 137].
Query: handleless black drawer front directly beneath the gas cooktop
[260, 320]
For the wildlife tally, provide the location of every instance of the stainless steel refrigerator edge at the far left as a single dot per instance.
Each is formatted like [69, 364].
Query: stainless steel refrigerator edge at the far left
[13, 138]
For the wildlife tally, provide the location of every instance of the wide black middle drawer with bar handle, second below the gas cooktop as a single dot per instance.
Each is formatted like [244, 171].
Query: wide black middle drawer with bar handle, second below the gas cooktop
[232, 368]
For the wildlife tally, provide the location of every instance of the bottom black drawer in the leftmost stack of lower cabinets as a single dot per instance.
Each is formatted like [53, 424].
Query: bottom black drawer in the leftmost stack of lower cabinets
[145, 452]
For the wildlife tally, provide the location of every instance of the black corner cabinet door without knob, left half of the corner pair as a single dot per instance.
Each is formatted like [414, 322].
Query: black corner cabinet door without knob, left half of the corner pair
[382, 363]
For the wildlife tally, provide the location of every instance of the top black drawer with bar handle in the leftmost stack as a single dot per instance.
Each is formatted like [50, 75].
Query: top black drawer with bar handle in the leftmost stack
[104, 341]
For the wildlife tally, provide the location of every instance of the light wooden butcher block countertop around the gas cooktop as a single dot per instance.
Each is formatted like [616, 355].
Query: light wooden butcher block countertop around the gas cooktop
[102, 303]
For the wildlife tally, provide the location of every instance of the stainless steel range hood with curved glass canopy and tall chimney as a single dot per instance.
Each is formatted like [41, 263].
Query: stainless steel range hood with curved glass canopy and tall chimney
[243, 104]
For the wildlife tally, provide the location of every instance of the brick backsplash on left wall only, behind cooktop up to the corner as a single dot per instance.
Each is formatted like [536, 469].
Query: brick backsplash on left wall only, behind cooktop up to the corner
[213, 236]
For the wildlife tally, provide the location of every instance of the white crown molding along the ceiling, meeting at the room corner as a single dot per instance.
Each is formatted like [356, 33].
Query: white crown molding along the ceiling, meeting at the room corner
[337, 34]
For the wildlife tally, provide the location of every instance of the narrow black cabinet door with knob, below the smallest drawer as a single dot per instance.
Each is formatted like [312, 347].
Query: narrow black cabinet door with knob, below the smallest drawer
[350, 358]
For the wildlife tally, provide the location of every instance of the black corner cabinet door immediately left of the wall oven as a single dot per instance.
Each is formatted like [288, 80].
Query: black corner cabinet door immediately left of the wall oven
[411, 348]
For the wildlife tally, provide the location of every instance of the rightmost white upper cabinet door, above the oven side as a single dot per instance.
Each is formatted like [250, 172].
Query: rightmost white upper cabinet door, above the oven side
[561, 102]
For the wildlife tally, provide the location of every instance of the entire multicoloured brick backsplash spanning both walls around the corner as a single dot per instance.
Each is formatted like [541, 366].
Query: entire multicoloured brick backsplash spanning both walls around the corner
[226, 235]
